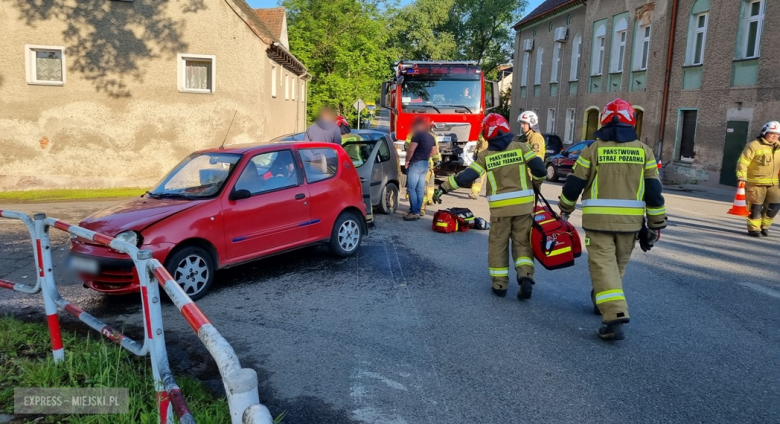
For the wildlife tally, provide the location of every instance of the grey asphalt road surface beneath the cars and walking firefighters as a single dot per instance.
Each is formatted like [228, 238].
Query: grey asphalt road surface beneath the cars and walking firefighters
[409, 332]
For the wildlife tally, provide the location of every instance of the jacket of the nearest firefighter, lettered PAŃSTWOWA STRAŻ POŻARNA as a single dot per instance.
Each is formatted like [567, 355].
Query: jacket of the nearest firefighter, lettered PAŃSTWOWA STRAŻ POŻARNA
[614, 196]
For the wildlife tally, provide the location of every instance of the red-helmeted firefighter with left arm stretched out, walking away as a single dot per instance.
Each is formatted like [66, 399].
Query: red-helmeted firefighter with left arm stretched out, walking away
[511, 201]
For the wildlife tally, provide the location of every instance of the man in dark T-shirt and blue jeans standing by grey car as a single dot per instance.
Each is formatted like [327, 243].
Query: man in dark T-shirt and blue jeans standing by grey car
[418, 156]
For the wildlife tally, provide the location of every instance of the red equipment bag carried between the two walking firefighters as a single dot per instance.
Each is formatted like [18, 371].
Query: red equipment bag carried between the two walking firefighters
[555, 242]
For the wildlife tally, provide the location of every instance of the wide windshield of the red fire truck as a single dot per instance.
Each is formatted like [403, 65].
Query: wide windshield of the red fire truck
[442, 96]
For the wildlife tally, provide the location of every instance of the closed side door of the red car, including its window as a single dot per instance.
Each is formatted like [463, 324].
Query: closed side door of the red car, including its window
[276, 214]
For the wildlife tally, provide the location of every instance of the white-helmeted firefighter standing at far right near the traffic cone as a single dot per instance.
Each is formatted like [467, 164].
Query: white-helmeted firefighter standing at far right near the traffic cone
[758, 167]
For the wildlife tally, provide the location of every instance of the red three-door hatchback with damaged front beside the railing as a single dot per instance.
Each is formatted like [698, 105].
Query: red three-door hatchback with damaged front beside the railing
[222, 207]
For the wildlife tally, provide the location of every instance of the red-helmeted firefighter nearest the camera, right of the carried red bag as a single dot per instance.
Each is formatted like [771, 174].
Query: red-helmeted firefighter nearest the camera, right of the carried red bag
[619, 176]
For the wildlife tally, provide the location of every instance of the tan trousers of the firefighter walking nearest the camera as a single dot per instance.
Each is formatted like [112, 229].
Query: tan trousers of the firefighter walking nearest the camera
[608, 255]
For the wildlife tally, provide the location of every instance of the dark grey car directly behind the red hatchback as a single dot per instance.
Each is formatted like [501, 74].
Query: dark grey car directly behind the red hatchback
[377, 163]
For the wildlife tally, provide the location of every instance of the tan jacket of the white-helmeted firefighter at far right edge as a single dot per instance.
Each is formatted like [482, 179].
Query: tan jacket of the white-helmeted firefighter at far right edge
[759, 163]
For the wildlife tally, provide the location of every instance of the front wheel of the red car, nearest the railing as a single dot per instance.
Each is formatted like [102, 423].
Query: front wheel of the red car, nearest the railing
[193, 268]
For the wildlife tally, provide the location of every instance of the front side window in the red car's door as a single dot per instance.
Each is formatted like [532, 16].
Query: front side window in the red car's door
[269, 171]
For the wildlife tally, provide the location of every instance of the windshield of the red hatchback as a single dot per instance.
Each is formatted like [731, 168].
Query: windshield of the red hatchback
[197, 176]
